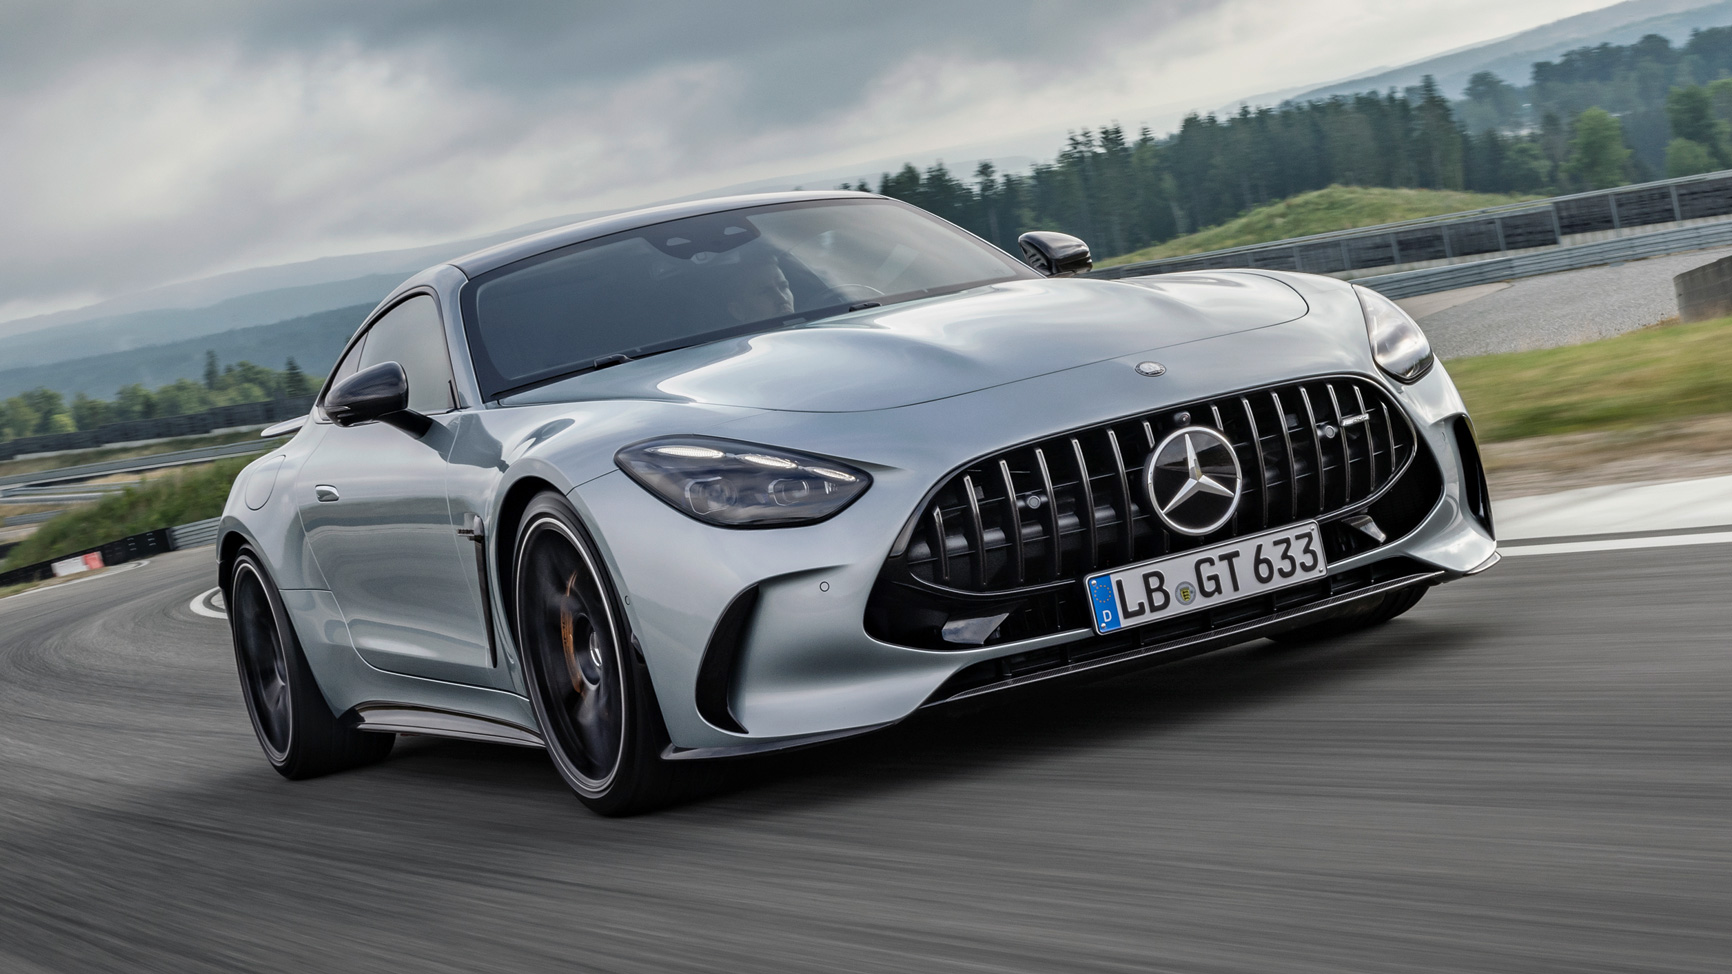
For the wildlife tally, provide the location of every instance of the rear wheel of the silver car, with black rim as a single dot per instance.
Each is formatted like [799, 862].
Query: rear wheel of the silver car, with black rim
[295, 727]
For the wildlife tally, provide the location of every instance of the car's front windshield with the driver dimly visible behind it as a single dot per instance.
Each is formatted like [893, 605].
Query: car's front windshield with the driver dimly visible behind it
[708, 278]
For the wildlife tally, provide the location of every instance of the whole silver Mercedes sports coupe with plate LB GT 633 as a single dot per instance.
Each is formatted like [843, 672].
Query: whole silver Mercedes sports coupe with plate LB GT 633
[751, 474]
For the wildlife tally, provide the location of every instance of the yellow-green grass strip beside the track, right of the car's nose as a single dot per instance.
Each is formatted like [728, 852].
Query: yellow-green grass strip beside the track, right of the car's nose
[1669, 372]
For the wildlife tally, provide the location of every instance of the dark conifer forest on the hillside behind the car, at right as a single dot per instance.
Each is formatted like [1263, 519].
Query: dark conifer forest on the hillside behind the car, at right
[1594, 119]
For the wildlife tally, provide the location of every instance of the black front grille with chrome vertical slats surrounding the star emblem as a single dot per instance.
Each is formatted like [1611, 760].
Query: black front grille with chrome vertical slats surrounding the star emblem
[1016, 531]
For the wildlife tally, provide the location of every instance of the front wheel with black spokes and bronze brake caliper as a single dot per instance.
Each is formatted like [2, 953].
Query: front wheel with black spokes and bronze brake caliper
[590, 689]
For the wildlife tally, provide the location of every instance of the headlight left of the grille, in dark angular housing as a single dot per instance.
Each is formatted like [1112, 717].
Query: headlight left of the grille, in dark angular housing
[735, 484]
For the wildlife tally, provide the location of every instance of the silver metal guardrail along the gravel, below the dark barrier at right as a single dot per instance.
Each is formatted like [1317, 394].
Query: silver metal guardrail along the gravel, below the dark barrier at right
[1431, 280]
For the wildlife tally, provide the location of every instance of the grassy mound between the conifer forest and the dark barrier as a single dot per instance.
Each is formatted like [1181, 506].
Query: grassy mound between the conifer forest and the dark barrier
[1321, 212]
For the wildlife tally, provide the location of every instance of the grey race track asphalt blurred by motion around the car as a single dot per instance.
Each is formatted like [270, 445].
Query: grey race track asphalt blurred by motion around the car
[1530, 772]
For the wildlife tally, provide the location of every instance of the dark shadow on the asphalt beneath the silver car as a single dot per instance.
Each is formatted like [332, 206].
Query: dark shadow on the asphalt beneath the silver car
[1000, 730]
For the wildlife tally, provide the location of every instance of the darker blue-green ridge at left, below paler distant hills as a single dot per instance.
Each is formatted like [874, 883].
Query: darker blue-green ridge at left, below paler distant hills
[313, 341]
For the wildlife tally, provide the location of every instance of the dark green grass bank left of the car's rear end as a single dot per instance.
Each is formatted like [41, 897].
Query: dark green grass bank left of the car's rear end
[193, 495]
